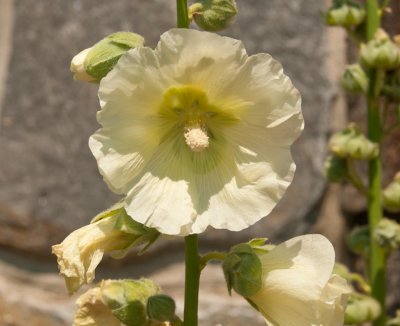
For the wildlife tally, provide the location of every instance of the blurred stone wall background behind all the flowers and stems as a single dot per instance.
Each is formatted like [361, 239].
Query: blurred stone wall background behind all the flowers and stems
[49, 182]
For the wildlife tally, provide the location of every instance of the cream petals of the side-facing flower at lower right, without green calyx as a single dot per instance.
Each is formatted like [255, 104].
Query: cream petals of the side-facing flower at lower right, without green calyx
[298, 287]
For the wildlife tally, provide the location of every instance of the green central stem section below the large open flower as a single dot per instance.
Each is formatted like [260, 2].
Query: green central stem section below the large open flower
[192, 280]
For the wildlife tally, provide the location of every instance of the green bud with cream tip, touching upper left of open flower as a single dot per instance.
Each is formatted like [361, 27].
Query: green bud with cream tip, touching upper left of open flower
[96, 62]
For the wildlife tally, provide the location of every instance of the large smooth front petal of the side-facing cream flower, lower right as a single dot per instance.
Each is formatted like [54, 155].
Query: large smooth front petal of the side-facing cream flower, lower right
[295, 272]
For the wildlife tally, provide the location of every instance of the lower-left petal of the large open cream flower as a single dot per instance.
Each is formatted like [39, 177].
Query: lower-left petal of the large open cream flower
[159, 197]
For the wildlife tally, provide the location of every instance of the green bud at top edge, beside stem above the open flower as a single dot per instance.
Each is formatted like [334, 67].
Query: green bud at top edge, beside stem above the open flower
[213, 15]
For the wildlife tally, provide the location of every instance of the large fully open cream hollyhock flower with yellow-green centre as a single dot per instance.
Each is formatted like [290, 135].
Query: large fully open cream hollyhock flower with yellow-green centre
[196, 133]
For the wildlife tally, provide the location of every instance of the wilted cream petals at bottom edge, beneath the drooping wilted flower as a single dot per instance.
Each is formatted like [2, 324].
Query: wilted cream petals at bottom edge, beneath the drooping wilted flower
[92, 311]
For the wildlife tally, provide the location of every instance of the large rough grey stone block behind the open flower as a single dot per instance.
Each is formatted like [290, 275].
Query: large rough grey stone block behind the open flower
[51, 179]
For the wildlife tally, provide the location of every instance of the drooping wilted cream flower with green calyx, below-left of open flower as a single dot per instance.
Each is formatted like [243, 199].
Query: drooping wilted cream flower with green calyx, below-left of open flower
[112, 231]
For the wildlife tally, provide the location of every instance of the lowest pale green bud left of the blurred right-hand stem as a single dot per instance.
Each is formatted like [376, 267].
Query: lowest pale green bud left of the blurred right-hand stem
[360, 309]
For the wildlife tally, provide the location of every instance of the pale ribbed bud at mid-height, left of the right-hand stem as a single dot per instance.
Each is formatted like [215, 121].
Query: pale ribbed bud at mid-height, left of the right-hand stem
[351, 143]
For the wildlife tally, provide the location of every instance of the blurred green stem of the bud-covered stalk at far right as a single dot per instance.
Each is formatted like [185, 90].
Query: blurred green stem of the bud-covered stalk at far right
[375, 214]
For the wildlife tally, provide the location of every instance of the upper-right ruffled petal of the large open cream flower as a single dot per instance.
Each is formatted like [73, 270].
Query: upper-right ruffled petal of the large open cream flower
[273, 101]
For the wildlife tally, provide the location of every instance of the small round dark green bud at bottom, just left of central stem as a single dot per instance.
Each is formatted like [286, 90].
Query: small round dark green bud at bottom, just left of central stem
[161, 308]
